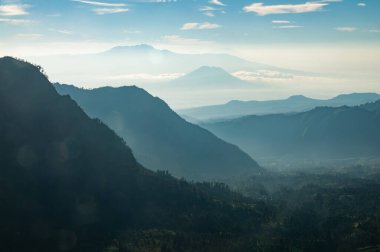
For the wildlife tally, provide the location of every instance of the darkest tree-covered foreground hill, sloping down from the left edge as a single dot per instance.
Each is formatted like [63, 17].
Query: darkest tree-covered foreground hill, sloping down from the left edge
[69, 183]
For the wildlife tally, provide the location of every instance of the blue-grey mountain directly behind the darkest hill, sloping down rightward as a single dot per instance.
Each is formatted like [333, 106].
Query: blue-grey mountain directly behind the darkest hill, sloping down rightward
[160, 139]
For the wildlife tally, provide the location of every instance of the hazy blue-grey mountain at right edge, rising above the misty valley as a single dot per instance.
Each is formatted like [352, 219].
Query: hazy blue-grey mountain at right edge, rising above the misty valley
[321, 134]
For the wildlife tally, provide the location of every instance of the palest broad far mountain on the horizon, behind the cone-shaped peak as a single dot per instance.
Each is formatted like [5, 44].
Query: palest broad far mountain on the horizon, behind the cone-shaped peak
[115, 66]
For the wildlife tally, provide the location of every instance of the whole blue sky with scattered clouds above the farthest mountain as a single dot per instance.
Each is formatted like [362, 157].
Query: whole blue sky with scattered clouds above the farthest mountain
[340, 37]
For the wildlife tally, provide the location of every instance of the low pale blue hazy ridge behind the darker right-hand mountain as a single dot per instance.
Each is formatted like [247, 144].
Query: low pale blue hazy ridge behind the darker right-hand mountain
[298, 103]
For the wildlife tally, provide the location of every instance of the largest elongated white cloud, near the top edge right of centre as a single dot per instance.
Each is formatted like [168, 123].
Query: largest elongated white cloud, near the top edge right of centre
[262, 10]
